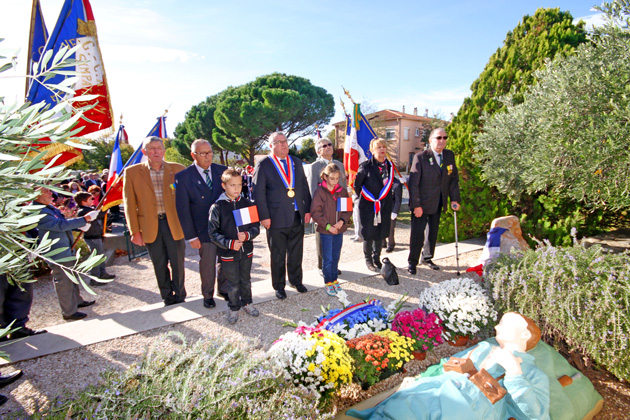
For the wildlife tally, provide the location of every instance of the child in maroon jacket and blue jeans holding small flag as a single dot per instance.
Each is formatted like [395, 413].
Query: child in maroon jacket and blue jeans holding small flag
[331, 210]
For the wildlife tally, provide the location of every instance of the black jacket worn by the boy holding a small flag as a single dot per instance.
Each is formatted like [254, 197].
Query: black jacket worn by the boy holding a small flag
[224, 232]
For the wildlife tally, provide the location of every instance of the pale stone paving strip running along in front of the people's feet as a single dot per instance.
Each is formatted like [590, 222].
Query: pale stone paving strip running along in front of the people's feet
[108, 327]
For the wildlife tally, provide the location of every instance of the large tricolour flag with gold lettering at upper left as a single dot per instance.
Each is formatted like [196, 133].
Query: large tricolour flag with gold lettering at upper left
[76, 27]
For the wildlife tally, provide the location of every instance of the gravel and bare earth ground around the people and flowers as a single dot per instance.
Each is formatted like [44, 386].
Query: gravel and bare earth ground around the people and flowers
[135, 286]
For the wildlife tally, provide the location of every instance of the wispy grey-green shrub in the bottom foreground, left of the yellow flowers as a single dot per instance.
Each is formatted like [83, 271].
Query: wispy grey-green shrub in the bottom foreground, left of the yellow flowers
[208, 380]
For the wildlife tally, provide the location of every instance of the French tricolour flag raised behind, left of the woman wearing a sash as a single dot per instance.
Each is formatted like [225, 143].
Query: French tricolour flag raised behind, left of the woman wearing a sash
[359, 134]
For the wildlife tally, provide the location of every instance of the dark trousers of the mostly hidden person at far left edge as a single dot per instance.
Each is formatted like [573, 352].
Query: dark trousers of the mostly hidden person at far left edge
[15, 304]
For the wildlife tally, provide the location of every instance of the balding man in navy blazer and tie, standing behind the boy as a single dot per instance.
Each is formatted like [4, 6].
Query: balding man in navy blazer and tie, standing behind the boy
[198, 187]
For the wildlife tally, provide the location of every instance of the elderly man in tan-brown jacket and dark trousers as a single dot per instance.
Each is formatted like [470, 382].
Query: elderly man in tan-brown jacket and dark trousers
[149, 197]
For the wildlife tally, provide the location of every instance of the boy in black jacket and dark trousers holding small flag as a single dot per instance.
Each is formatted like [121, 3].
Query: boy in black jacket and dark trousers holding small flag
[232, 227]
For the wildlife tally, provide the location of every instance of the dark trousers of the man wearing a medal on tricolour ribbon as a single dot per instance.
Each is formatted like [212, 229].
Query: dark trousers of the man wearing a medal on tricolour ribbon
[286, 246]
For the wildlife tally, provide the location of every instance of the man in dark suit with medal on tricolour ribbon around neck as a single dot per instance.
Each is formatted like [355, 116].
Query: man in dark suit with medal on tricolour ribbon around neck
[281, 194]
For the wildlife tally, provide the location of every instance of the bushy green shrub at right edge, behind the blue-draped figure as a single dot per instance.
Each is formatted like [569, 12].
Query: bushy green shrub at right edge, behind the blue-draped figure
[576, 294]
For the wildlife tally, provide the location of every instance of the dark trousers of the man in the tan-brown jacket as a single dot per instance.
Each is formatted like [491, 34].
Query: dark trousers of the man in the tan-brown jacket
[163, 250]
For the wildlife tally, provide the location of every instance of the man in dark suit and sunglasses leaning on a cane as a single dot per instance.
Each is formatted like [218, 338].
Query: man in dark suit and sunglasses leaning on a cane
[432, 180]
